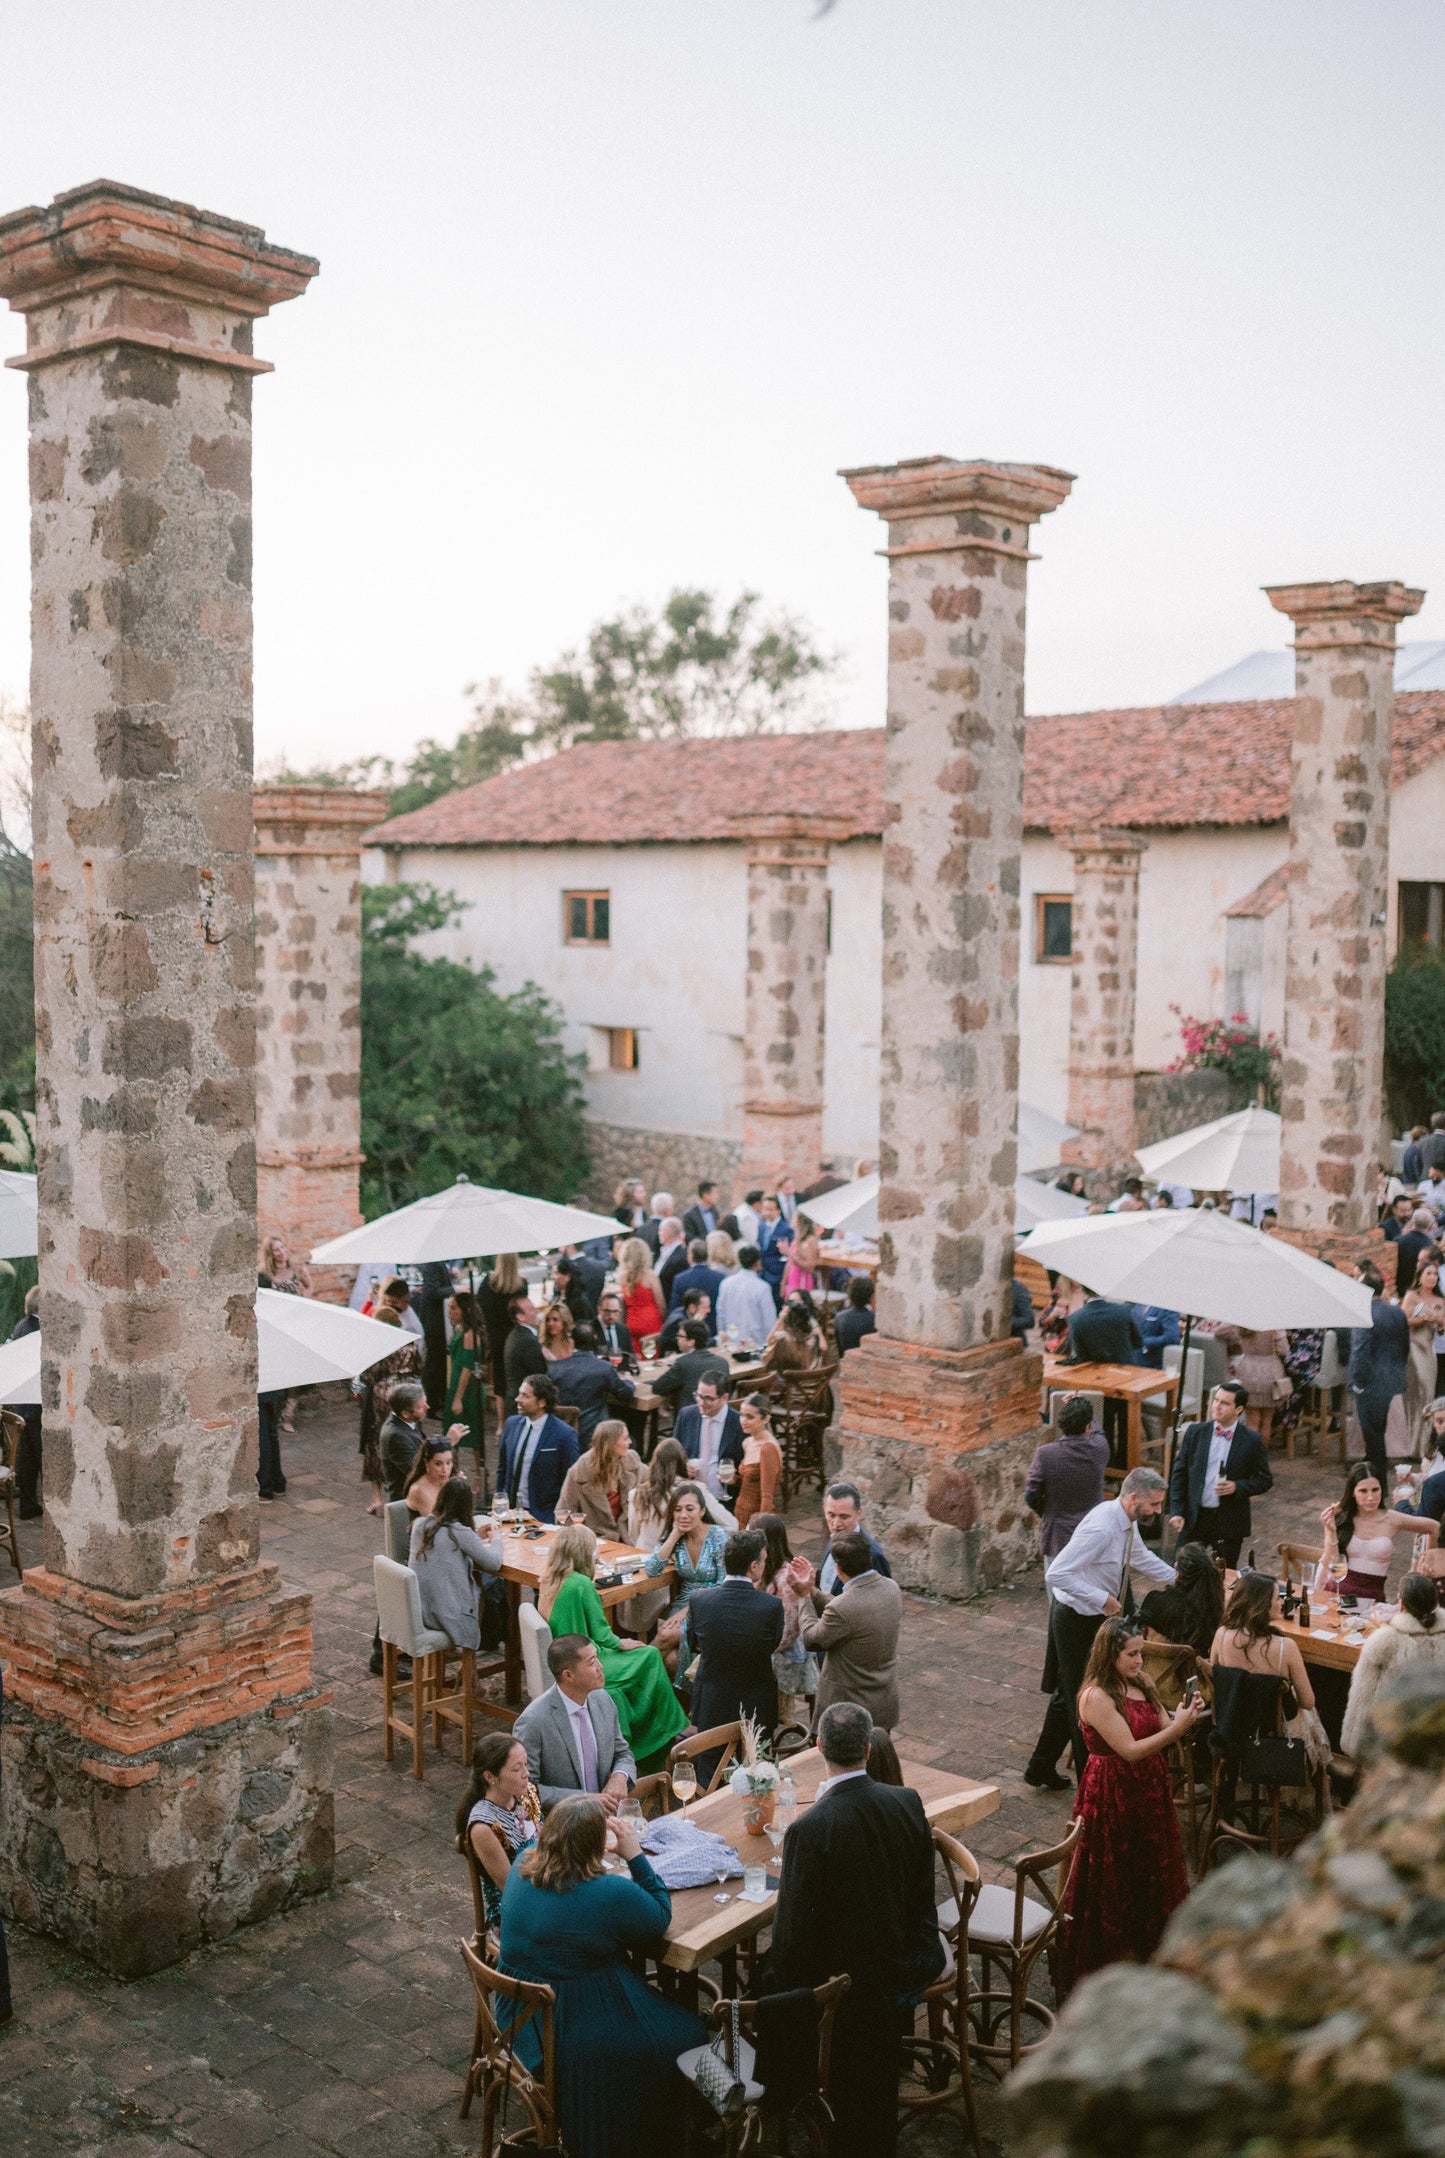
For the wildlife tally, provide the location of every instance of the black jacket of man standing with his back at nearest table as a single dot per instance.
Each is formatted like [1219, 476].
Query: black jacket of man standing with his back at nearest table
[857, 1896]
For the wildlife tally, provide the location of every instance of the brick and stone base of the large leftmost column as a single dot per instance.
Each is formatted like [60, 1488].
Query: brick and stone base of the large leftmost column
[167, 1764]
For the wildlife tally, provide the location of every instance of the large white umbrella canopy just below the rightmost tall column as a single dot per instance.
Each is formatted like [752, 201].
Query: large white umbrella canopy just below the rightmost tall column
[1200, 1264]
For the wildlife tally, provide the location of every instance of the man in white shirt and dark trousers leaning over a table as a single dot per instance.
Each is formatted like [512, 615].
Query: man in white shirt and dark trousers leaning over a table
[1090, 1581]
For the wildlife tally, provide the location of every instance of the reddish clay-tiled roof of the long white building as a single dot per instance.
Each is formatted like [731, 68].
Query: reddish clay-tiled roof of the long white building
[1153, 767]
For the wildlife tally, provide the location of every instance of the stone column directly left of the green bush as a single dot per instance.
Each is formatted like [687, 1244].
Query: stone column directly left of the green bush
[309, 1015]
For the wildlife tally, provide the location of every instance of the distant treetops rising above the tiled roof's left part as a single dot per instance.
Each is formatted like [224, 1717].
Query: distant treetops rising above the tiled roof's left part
[693, 668]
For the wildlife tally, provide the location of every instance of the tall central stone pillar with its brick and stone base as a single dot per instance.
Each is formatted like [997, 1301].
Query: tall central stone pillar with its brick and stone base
[944, 1408]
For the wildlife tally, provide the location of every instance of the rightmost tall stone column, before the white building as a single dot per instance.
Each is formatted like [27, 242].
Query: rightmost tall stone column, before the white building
[1334, 1043]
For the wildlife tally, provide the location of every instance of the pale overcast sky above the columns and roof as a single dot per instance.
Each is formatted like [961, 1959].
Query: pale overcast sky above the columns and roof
[611, 288]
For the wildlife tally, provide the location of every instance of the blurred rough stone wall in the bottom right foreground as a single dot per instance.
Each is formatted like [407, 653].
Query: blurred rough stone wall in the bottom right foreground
[1293, 2010]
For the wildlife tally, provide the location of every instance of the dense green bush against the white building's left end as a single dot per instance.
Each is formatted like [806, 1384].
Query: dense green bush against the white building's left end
[456, 1078]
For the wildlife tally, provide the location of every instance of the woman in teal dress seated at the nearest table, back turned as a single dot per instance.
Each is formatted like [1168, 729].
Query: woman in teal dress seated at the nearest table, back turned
[570, 1926]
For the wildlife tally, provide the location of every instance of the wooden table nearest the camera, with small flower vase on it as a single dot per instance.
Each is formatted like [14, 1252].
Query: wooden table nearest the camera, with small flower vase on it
[706, 1930]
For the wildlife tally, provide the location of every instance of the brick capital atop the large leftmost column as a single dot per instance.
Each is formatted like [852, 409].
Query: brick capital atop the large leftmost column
[118, 267]
